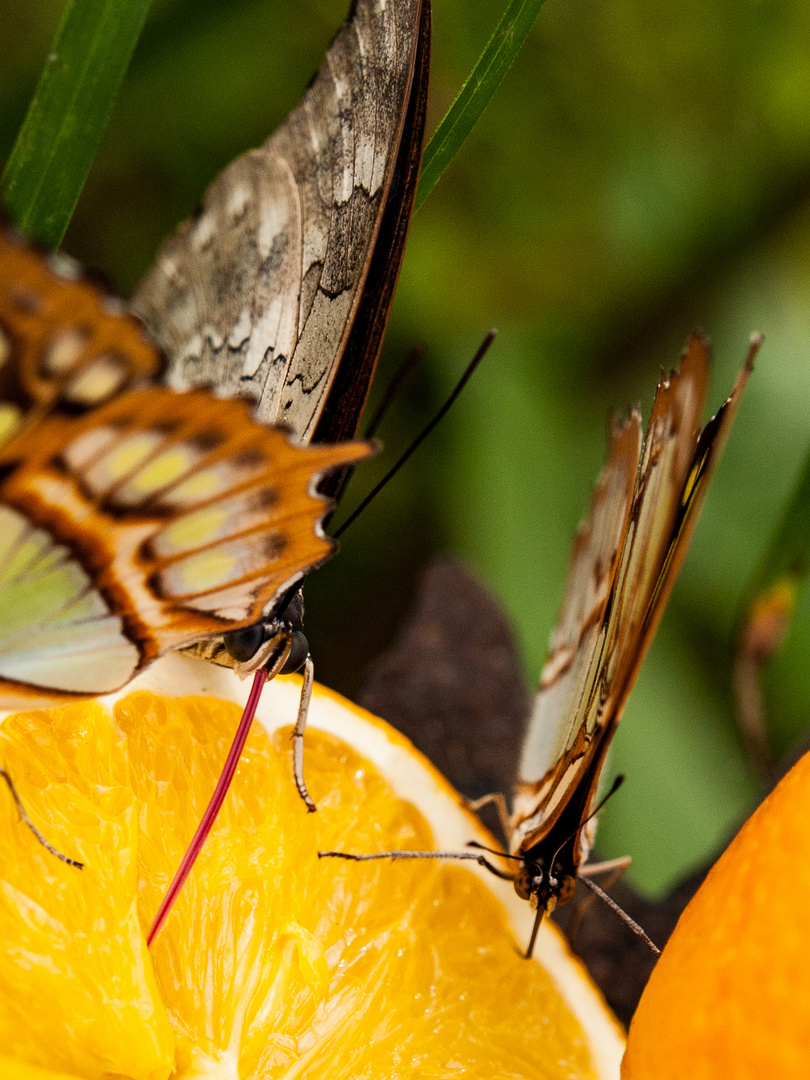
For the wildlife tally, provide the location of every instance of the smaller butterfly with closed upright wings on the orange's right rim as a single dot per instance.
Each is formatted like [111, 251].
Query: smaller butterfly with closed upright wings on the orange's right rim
[624, 565]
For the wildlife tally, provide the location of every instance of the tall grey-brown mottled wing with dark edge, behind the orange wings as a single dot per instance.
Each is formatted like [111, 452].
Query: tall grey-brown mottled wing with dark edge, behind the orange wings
[263, 293]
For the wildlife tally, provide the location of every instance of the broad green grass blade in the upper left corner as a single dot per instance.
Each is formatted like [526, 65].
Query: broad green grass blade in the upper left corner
[70, 114]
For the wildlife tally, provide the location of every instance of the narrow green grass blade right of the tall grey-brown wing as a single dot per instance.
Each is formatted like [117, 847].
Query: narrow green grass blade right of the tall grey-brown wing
[477, 92]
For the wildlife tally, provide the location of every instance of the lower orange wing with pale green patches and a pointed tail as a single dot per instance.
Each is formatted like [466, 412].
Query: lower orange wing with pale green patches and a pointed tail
[147, 524]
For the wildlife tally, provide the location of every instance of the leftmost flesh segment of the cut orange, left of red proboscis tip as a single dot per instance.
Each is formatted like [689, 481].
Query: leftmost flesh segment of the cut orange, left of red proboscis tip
[77, 985]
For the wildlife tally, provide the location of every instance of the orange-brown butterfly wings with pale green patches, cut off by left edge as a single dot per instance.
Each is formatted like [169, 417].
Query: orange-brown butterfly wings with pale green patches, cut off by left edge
[134, 519]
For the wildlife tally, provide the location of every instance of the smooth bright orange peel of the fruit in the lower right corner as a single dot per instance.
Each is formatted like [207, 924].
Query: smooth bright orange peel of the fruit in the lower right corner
[731, 996]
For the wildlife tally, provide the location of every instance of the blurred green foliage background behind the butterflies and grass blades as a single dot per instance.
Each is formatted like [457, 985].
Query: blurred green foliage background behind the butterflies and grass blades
[644, 169]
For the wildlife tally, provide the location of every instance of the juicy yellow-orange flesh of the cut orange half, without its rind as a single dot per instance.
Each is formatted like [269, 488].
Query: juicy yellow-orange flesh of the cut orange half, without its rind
[273, 964]
